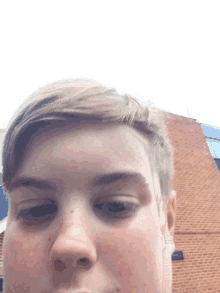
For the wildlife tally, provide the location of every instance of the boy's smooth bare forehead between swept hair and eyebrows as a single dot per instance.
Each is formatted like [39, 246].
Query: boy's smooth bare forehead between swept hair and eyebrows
[85, 148]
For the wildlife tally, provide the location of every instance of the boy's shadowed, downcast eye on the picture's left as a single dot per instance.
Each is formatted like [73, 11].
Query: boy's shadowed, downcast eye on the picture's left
[39, 214]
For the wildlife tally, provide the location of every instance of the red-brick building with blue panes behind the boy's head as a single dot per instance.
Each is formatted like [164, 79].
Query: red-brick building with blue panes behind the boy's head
[197, 229]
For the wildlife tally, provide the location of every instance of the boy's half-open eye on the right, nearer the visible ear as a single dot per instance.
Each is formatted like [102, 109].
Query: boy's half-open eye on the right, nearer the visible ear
[117, 209]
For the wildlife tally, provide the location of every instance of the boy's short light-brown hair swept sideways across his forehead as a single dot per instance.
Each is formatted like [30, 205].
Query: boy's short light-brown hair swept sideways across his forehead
[71, 100]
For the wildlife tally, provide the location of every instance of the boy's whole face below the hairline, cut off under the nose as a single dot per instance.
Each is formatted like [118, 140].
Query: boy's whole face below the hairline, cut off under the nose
[77, 231]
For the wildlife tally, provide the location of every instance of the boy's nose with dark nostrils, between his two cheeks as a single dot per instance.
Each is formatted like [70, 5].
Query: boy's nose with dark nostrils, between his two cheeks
[73, 248]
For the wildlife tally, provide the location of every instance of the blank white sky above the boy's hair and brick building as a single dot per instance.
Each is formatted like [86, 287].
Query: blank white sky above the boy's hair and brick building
[164, 51]
